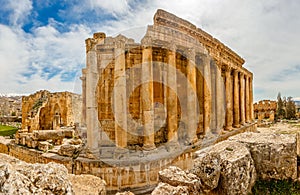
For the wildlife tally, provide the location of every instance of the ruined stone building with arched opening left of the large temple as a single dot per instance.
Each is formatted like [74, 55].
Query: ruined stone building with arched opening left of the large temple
[45, 111]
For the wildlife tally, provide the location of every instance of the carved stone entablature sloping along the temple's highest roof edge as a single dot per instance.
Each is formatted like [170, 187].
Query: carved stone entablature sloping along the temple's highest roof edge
[213, 45]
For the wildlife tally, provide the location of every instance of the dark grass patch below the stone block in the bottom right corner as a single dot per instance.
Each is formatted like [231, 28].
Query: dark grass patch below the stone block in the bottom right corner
[276, 187]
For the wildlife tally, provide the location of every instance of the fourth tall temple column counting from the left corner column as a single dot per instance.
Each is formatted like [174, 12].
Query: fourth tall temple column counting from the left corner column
[172, 96]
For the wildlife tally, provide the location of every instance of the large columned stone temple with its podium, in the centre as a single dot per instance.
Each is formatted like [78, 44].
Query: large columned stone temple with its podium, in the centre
[151, 104]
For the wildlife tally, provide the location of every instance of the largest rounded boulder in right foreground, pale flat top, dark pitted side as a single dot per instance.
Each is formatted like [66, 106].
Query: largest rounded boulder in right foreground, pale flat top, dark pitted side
[237, 173]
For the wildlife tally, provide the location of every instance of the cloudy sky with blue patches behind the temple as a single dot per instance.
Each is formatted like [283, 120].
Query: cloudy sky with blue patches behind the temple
[42, 42]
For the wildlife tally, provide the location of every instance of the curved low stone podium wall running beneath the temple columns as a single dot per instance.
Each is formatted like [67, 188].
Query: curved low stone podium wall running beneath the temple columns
[139, 175]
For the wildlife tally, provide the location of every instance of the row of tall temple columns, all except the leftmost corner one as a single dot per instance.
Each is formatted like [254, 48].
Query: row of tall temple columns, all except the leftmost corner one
[237, 91]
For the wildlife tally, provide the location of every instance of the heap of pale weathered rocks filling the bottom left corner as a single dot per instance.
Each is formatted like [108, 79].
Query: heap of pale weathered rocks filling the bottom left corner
[18, 177]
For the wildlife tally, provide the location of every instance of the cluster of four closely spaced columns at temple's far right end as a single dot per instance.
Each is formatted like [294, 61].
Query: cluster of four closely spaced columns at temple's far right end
[239, 100]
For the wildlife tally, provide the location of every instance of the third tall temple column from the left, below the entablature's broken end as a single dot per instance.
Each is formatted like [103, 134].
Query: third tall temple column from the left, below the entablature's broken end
[147, 95]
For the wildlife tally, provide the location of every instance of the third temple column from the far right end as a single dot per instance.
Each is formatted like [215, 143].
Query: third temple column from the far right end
[236, 102]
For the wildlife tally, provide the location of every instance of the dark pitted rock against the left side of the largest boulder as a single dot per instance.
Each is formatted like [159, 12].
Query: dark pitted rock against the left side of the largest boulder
[207, 168]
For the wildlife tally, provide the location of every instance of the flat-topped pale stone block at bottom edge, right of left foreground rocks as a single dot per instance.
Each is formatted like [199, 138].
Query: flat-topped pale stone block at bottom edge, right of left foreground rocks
[87, 184]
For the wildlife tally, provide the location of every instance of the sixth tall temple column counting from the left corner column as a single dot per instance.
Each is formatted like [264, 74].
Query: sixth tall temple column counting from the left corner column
[206, 94]
